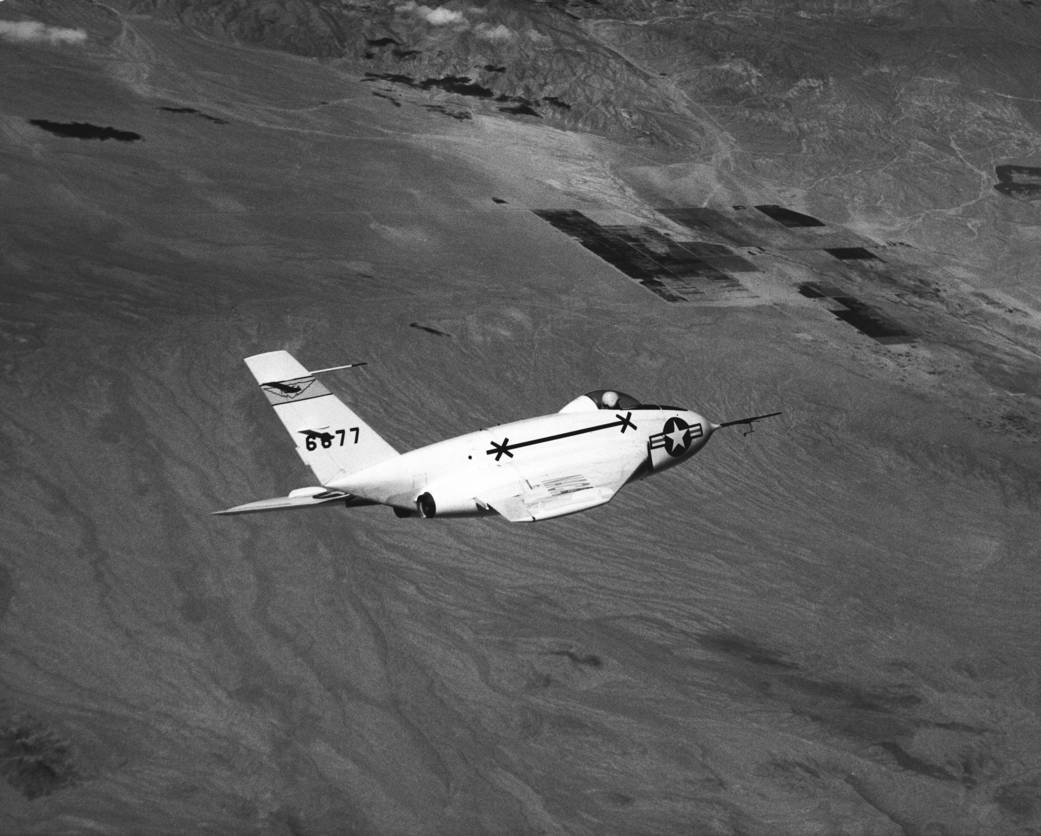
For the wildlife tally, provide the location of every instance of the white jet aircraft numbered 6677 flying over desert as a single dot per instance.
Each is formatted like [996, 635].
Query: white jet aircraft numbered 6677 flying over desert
[536, 469]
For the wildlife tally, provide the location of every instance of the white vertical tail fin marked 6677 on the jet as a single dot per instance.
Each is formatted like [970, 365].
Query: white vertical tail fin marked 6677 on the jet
[331, 438]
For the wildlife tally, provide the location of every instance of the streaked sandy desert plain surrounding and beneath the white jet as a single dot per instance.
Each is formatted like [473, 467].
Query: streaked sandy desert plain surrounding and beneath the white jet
[830, 626]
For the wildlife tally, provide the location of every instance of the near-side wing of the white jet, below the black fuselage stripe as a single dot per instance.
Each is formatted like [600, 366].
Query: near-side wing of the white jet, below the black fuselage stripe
[538, 497]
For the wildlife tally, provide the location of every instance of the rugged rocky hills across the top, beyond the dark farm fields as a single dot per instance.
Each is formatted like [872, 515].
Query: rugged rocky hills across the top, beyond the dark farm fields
[869, 114]
